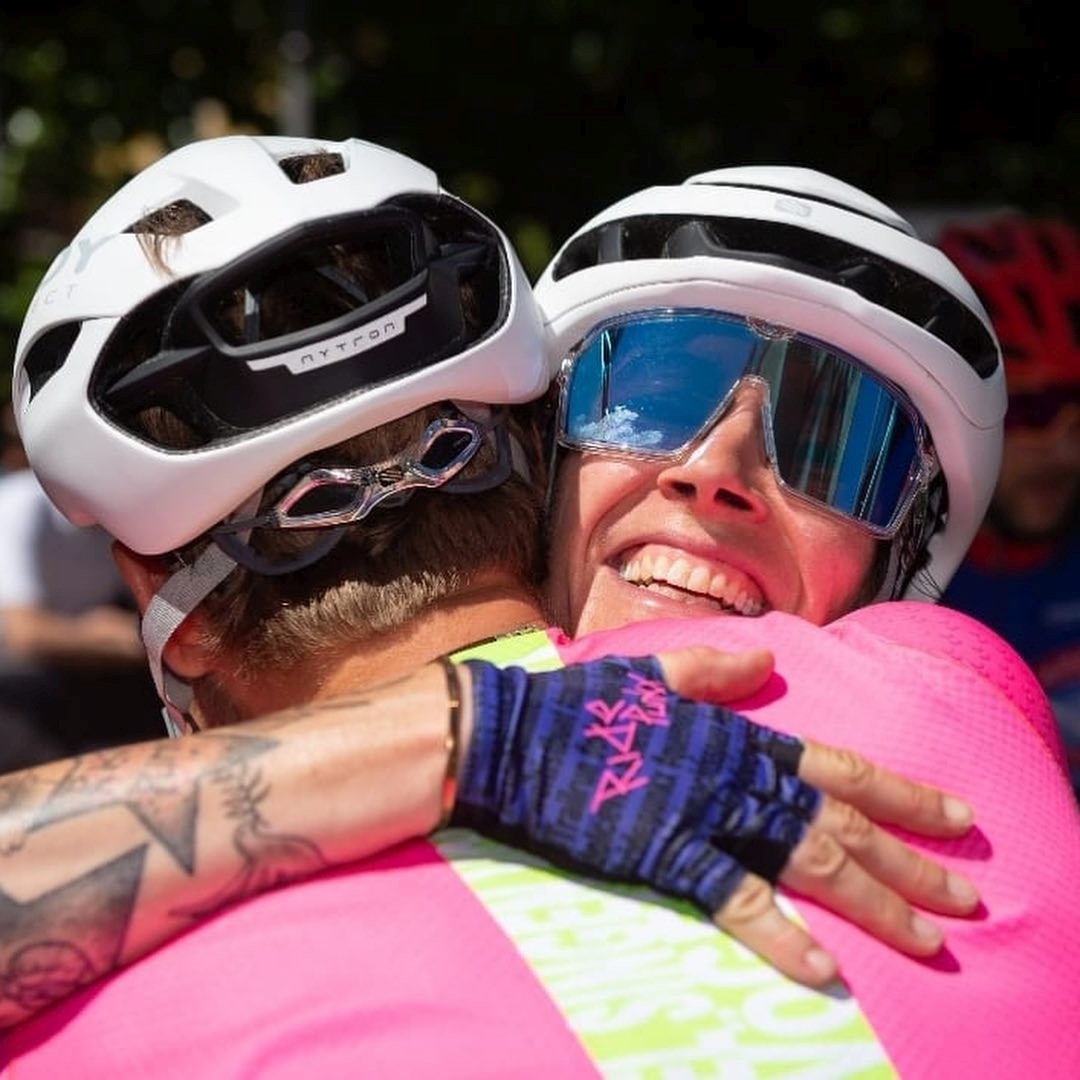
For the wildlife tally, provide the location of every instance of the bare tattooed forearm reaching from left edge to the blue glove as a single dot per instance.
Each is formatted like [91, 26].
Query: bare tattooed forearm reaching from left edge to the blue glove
[106, 856]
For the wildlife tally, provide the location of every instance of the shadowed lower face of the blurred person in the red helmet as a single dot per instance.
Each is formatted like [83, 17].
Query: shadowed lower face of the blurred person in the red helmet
[1039, 487]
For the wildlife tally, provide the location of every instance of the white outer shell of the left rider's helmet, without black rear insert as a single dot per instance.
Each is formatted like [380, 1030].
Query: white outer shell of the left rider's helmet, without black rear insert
[156, 499]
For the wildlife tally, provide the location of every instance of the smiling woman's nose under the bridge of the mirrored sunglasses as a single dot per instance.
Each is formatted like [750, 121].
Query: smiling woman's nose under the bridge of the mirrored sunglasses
[728, 472]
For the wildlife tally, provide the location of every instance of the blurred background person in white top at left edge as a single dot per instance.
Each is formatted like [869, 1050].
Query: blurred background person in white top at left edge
[73, 667]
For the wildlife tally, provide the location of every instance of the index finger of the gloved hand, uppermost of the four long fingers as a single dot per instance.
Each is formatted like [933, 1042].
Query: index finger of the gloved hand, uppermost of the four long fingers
[883, 795]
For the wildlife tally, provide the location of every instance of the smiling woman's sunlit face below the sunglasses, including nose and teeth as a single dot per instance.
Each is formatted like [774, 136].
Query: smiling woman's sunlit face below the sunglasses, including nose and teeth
[711, 533]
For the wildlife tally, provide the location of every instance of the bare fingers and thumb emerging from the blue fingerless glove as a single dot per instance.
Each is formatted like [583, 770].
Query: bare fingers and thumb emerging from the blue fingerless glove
[845, 861]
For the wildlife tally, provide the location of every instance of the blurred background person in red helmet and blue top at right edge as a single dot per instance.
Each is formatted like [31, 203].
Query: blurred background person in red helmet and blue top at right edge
[1022, 575]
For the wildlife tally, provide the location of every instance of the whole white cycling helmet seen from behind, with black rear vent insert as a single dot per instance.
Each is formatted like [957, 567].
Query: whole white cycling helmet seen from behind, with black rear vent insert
[259, 403]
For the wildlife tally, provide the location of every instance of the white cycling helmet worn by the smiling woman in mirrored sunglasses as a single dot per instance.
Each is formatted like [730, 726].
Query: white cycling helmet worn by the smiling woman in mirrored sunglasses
[793, 248]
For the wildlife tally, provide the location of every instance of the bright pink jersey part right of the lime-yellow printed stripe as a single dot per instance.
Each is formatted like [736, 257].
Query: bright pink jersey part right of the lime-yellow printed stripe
[941, 699]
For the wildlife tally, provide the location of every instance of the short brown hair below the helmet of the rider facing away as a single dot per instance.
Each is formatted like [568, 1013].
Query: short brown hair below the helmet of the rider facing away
[390, 568]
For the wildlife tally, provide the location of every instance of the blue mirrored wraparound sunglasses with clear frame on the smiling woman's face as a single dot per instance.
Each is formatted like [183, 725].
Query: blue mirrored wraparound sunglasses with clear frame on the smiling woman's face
[653, 384]
